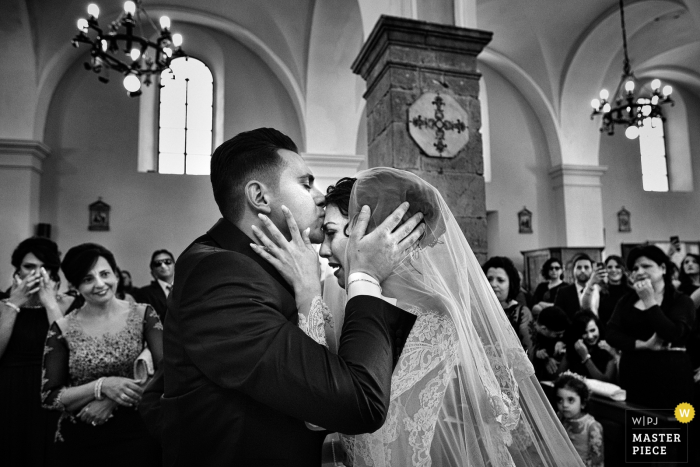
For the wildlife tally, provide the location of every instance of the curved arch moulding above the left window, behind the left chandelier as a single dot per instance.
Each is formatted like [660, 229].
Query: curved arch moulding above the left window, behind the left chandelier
[64, 58]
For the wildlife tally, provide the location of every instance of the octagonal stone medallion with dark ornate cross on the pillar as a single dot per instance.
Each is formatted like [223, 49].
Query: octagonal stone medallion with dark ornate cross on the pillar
[443, 133]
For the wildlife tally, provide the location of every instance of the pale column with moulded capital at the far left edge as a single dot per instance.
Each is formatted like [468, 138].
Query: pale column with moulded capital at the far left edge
[20, 177]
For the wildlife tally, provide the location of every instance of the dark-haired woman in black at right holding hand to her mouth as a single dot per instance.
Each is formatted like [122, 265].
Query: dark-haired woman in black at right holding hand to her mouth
[651, 328]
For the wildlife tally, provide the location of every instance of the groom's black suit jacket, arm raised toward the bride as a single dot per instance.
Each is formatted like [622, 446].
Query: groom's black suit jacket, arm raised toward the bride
[241, 378]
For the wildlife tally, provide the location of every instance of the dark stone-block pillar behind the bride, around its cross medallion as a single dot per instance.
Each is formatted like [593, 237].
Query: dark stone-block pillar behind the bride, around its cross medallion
[401, 60]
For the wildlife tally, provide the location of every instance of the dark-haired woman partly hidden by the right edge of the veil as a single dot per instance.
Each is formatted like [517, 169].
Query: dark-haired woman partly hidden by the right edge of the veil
[505, 282]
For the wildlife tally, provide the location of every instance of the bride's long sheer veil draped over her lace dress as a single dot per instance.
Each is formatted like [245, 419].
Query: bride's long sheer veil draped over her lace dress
[463, 391]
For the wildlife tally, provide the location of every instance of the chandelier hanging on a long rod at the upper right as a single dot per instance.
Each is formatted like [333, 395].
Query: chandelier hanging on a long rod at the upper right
[625, 107]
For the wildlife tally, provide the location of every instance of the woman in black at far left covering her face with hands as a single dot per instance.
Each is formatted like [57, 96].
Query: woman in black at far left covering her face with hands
[26, 431]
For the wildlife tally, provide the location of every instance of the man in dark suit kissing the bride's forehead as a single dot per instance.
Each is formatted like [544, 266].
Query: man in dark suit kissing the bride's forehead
[240, 378]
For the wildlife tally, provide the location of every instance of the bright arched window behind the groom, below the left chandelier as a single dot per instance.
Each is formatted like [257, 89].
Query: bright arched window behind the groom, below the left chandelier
[185, 118]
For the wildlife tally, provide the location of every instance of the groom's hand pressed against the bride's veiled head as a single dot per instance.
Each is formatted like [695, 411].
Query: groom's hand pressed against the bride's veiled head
[379, 252]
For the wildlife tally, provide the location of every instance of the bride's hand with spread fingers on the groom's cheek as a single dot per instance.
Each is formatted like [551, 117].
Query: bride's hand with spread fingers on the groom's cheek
[296, 260]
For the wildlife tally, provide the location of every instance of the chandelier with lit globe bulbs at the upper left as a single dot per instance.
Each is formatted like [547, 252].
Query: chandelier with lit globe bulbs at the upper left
[125, 52]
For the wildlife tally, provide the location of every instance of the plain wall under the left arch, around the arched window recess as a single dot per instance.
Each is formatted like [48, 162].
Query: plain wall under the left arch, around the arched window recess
[92, 132]
